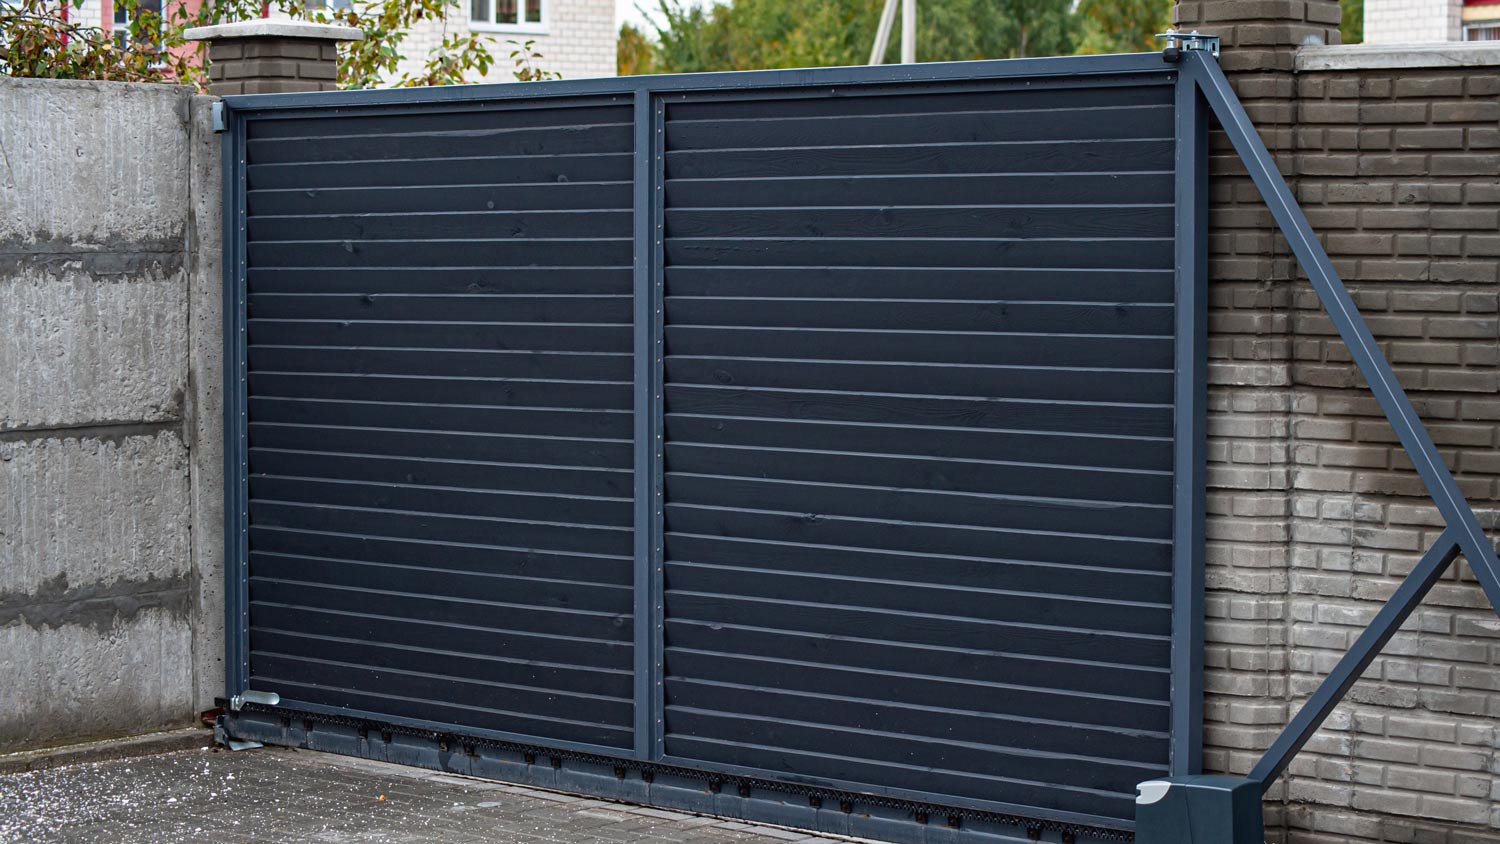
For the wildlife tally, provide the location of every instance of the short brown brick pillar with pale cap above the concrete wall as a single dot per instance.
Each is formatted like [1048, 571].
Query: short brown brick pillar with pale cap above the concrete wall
[268, 58]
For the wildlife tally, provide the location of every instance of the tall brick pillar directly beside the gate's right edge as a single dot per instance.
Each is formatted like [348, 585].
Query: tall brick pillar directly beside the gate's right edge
[1252, 401]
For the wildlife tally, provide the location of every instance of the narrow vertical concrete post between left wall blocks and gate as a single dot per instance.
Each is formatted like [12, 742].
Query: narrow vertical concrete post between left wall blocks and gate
[206, 403]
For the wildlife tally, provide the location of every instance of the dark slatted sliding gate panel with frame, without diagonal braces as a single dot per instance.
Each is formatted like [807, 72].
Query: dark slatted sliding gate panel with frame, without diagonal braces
[809, 446]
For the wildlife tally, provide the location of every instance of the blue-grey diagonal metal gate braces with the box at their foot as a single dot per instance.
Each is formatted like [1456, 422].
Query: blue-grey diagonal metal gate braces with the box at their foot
[1228, 810]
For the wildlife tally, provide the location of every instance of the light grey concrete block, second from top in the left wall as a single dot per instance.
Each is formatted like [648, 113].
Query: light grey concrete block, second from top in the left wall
[86, 344]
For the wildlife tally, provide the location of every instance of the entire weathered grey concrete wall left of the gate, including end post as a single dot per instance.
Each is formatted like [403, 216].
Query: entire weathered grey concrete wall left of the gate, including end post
[101, 617]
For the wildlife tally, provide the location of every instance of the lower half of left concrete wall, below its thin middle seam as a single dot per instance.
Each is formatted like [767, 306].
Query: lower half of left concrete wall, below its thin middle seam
[95, 590]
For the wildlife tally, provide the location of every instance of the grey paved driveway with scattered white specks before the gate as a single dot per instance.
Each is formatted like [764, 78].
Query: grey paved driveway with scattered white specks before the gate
[283, 795]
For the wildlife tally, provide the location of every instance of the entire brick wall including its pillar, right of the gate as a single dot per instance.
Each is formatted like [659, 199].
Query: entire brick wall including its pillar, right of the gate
[1315, 513]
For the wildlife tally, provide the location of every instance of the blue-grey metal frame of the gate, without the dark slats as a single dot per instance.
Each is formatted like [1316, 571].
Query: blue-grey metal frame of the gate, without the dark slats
[580, 767]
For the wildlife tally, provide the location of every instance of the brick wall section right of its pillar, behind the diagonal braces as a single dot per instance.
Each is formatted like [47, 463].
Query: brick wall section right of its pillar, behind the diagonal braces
[1400, 172]
